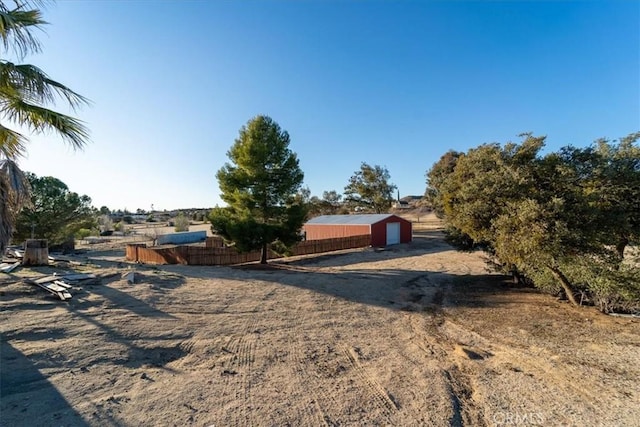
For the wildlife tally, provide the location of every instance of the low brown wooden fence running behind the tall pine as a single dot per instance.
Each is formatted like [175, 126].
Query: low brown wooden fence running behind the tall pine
[199, 255]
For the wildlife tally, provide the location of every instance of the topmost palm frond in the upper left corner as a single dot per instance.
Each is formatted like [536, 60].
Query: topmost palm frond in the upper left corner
[16, 29]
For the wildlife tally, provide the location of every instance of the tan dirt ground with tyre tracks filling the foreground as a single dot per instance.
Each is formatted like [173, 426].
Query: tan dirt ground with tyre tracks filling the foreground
[413, 335]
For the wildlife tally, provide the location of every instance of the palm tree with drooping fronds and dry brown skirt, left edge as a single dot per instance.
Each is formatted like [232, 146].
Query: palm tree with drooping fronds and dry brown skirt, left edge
[25, 92]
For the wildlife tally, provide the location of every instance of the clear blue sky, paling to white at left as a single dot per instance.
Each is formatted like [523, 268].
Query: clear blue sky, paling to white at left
[392, 83]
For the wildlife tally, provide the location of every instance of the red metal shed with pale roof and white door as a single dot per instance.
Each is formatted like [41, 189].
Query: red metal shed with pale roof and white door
[385, 229]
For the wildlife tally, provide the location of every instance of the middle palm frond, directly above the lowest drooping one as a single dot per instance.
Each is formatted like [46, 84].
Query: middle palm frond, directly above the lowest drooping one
[33, 85]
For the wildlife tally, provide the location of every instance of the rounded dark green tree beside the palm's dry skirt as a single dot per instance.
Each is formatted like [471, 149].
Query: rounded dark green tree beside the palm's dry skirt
[55, 212]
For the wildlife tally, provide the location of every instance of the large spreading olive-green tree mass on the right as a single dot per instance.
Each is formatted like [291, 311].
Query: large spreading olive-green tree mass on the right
[562, 219]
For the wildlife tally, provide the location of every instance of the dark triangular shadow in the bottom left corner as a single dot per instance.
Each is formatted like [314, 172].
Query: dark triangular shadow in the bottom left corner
[19, 379]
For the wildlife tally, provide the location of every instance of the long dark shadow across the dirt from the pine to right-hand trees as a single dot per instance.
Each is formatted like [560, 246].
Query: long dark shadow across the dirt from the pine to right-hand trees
[389, 288]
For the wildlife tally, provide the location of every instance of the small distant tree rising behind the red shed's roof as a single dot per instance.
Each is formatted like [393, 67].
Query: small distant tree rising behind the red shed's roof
[370, 188]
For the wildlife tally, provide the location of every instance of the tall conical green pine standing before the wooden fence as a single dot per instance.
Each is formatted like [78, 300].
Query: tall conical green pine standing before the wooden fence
[261, 186]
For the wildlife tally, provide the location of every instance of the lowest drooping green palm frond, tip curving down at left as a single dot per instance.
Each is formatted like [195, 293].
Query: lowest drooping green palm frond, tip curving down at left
[41, 120]
